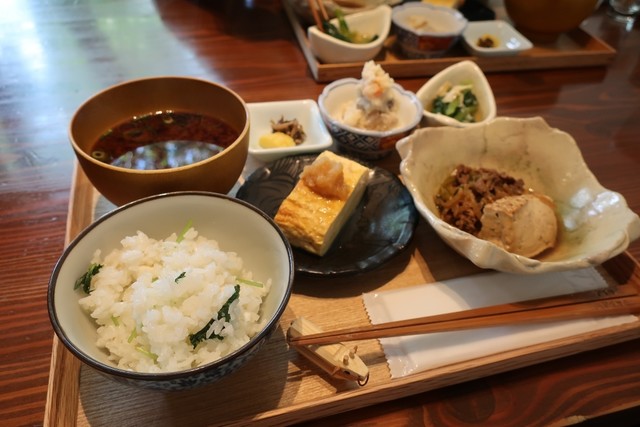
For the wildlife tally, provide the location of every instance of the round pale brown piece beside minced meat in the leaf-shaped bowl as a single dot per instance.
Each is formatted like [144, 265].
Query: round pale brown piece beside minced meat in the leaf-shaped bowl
[525, 225]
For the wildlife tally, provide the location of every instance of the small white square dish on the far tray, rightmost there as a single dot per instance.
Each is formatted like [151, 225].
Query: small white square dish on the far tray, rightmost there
[509, 40]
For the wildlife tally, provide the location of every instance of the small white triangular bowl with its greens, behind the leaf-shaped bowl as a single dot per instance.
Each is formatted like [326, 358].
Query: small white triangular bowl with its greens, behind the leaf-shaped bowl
[458, 96]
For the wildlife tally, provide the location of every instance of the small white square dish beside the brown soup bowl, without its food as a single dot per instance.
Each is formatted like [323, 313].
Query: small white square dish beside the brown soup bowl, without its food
[305, 111]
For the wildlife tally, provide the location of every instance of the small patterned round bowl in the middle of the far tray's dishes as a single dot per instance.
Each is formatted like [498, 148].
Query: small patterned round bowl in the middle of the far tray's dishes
[425, 31]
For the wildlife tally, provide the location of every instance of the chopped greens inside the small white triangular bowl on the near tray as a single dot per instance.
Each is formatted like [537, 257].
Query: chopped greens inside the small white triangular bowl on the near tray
[458, 102]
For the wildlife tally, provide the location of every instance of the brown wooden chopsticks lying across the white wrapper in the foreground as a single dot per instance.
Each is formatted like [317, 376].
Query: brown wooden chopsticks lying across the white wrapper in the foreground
[623, 299]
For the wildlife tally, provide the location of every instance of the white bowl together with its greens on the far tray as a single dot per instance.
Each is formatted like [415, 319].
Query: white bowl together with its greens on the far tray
[351, 38]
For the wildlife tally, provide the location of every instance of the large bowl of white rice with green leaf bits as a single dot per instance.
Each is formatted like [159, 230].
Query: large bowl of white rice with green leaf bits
[237, 227]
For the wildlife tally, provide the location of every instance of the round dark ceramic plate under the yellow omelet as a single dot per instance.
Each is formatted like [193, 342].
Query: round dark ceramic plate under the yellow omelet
[380, 227]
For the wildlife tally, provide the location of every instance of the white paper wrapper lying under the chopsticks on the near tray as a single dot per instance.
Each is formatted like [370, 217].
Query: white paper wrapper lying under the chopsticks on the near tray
[411, 354]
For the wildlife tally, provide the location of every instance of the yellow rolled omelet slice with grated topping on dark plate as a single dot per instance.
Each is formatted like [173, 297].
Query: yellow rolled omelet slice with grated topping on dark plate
[322, 200]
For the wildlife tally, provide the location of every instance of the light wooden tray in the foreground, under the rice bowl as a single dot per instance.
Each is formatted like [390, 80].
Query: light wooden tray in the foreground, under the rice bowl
[280, 387]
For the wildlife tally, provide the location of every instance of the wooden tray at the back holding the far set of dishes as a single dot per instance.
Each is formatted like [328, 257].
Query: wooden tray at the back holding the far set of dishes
[574, 49]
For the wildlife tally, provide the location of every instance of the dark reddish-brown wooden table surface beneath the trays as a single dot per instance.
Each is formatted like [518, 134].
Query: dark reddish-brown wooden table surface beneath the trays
[55, 54]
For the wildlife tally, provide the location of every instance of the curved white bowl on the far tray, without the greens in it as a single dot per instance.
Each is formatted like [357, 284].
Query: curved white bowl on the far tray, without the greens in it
[331, 50]
